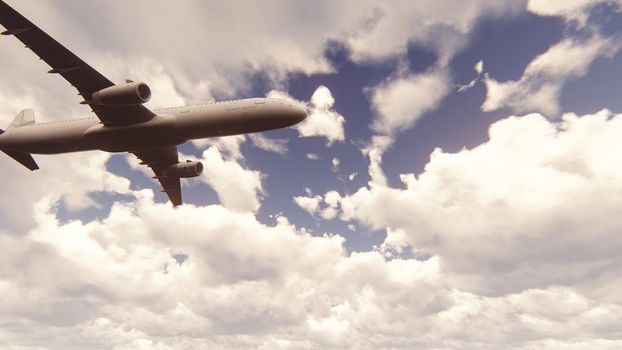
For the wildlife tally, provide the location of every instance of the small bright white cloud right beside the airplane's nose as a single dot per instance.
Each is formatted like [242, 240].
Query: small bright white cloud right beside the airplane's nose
[323, 120]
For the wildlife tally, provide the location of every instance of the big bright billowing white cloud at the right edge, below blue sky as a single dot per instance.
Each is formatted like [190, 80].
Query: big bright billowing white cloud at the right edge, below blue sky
[497, 214]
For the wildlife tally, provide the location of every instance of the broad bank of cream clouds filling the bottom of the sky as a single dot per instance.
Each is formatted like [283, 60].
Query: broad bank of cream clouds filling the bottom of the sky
[244, 284]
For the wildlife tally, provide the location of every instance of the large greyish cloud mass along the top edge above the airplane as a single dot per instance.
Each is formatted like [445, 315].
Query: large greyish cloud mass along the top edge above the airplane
[224, 65]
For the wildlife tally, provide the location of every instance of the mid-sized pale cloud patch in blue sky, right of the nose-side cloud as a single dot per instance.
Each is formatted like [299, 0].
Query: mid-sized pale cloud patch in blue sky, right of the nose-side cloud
[401, 101]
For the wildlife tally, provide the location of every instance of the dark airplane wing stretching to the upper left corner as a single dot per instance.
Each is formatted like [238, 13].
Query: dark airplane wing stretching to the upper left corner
[79, 74]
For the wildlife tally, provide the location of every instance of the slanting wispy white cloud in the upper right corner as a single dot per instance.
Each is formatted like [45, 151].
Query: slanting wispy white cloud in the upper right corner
[540, 86]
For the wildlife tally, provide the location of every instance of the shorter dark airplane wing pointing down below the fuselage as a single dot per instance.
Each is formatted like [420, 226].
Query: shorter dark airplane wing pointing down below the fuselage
[158, 159]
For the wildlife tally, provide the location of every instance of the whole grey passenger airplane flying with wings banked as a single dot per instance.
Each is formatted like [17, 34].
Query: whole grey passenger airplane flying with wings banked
[121, 122]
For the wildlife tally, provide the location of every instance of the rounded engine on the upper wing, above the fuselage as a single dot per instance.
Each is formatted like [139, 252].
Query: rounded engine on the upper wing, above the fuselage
[133, 93]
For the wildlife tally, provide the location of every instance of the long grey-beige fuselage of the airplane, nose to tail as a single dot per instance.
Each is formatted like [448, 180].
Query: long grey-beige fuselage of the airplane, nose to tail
[170, 127]
